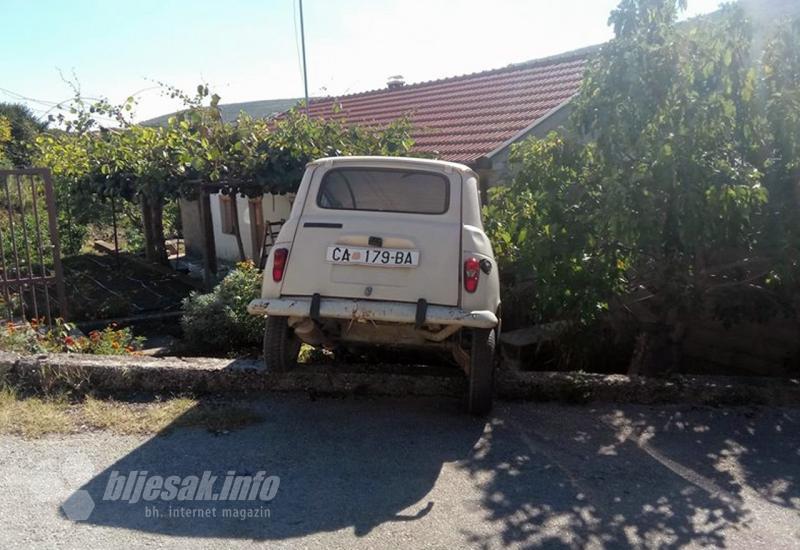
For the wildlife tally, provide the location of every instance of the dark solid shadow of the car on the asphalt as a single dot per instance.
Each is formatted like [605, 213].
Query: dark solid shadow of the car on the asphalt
[341, 464]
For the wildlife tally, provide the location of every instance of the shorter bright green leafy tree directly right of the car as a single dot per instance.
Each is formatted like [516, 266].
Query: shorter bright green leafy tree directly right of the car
[549, 234]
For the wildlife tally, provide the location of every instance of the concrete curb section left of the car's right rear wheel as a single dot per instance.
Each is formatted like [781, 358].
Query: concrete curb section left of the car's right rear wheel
[202, 375]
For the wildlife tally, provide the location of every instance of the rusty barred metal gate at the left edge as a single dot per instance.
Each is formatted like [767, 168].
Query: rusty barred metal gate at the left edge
[31, 275]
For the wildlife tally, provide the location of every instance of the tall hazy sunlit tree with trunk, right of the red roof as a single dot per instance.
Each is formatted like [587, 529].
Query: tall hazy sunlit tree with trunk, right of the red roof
[673, 113]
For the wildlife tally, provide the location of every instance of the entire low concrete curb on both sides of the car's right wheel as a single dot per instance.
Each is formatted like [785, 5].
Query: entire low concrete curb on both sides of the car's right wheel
[137, 374]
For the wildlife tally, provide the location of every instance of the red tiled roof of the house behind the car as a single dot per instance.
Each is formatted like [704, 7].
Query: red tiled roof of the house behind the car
[466, 117]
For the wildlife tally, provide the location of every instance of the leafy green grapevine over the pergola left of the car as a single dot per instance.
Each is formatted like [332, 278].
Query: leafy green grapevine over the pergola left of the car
[153, 165]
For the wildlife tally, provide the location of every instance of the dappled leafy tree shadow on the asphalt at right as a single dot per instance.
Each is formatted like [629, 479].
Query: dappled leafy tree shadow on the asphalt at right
[643, 478]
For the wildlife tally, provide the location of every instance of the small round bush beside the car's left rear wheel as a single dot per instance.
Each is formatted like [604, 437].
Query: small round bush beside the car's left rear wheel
[219, 321]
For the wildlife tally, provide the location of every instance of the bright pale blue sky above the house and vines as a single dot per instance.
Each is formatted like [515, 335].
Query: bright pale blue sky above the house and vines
[248, 49]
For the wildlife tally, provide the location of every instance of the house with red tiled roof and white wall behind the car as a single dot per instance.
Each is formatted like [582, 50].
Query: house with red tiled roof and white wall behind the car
[472, 119]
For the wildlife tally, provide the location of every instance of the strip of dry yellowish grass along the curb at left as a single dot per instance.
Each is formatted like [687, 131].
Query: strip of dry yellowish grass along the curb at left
[32, 417]
